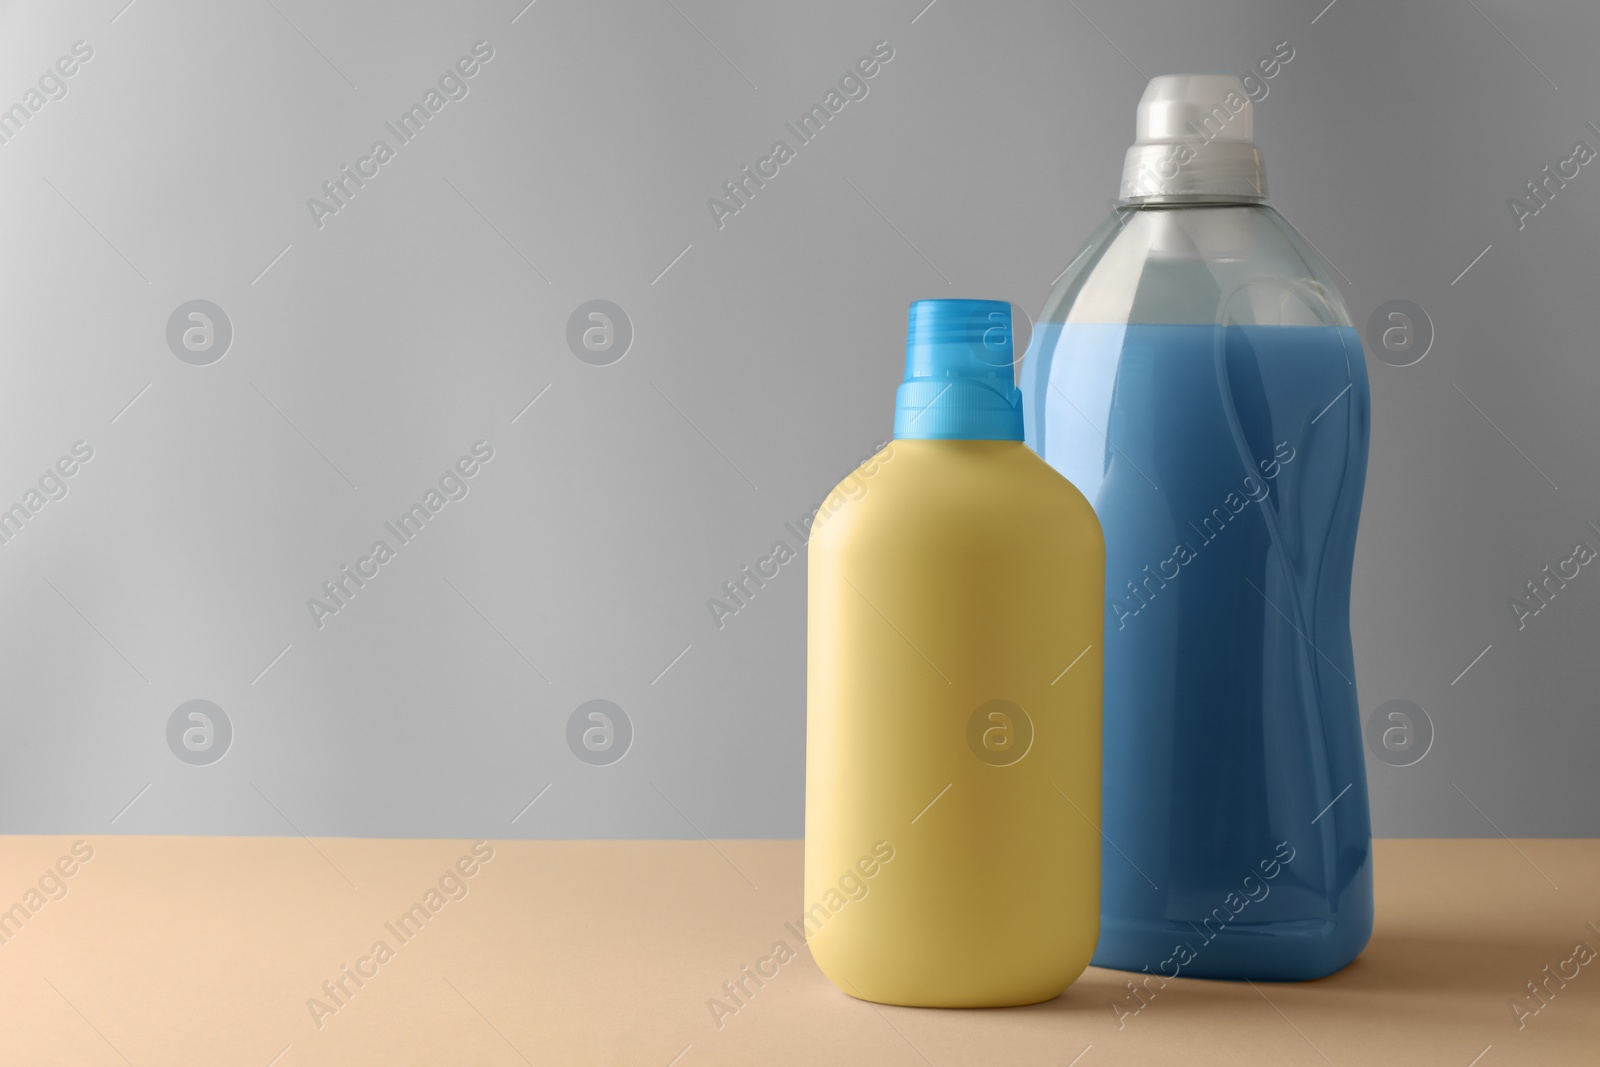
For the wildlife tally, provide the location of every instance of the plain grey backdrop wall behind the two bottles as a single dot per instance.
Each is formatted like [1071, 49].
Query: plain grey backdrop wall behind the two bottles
[372, 353]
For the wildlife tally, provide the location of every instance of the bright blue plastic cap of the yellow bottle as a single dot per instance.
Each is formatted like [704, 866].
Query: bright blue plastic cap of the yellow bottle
[959, 375]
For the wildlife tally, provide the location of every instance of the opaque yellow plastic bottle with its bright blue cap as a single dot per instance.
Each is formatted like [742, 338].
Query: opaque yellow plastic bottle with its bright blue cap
[954, 697]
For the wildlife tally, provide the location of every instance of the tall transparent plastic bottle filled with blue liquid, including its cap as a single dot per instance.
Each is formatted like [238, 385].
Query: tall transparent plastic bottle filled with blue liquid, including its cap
[1196, 375]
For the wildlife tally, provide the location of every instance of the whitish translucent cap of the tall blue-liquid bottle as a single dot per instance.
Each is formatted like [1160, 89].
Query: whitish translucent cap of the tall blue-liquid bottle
[1194, 143]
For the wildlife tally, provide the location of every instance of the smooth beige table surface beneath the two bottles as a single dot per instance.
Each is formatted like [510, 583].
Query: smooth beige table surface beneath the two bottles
[209, 951]
